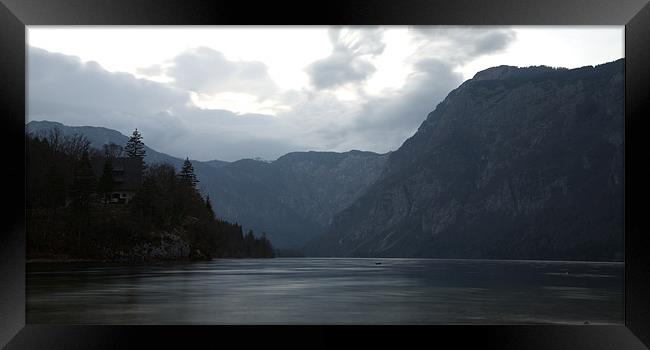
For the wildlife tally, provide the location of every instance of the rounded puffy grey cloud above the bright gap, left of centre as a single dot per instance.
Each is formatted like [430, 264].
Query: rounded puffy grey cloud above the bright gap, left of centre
[204, 70]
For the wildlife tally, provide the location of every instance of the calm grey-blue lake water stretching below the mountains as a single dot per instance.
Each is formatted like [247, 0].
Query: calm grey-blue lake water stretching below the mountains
[326, 291]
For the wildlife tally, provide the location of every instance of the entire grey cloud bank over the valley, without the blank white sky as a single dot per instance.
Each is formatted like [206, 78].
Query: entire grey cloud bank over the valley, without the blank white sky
[64, 89]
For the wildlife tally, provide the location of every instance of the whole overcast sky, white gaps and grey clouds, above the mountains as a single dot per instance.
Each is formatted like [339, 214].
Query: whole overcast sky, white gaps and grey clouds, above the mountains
[242, 92]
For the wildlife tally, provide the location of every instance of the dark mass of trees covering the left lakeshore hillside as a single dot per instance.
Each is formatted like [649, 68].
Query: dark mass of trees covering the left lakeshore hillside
[63, 216]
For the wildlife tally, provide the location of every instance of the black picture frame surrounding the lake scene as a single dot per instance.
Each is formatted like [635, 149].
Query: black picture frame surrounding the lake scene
[16, 14]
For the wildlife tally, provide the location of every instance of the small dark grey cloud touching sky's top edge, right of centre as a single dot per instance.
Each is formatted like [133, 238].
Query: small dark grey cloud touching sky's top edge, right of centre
[349, 61]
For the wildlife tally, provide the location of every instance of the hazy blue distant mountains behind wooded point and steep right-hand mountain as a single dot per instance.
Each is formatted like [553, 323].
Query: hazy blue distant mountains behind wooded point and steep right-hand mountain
[291, 199]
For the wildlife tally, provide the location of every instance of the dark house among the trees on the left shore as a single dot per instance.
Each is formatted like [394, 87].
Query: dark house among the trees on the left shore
[127, 176]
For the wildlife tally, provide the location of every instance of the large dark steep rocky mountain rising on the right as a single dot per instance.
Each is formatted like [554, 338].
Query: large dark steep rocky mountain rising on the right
[516, 163]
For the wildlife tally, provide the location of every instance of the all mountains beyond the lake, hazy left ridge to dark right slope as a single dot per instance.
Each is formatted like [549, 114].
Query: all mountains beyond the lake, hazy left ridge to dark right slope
[516, 163]
